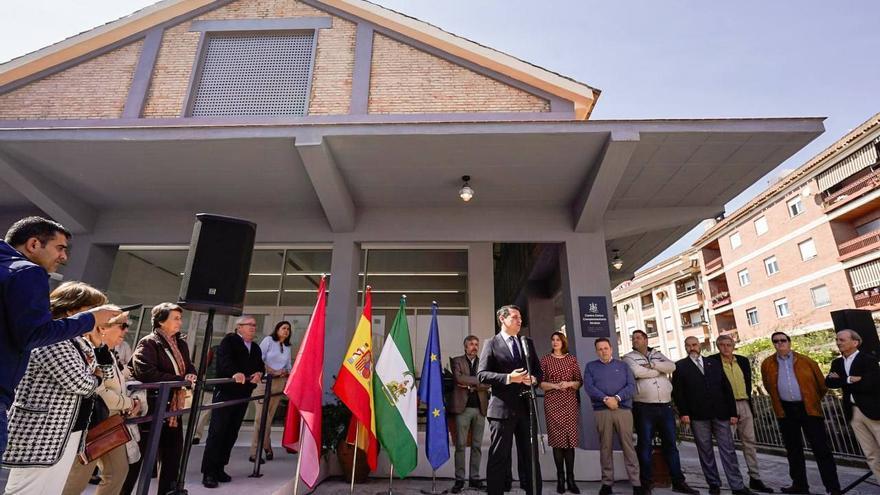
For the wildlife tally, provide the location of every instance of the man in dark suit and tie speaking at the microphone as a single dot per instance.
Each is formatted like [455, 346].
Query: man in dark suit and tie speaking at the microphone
[502, 365]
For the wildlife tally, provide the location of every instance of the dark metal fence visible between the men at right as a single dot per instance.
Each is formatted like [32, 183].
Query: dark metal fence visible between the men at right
[841, 438]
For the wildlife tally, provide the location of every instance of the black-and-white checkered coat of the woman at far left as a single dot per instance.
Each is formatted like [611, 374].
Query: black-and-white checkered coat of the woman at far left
[47, 402]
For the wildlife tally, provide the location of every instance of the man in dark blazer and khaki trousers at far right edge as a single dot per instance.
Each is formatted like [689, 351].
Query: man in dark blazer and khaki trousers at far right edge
[858, 374]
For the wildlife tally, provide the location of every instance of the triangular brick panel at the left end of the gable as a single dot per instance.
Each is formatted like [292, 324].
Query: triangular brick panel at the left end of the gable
[94, 89]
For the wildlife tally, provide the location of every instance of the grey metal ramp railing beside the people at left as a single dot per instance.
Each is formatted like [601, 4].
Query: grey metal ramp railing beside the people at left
[159, 413]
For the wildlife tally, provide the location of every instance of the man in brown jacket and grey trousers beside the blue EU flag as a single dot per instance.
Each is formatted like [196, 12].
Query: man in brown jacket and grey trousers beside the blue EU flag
[468, 404]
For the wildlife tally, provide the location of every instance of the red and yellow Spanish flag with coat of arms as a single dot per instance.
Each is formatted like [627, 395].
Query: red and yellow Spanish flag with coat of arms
[354, 384]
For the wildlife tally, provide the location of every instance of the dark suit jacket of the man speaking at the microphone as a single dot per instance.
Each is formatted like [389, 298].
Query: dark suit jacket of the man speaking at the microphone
[495, 363]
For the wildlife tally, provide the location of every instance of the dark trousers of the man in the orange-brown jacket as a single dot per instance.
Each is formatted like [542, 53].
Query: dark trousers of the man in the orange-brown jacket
[795, 421]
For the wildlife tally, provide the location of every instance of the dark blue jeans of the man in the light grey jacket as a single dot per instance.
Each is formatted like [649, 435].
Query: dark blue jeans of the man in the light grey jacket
[650, 418]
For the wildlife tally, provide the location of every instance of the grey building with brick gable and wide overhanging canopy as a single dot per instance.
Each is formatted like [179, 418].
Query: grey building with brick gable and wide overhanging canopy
[343, 130]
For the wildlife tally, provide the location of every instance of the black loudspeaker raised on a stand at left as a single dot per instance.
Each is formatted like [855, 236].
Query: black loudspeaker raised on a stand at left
[218, 264]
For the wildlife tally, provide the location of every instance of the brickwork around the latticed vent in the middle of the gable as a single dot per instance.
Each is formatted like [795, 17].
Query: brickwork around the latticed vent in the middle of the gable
[334, 60]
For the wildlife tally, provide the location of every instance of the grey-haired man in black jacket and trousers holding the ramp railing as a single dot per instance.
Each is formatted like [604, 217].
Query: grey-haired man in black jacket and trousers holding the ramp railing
[239, 358]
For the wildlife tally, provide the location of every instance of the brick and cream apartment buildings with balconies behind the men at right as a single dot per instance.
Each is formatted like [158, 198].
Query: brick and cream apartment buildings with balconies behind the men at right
[806, 246]
